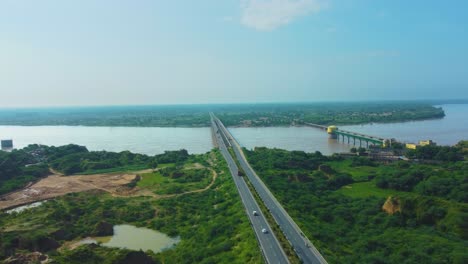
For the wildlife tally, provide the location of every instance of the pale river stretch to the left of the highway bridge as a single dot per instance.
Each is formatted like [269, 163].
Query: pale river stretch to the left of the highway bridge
[145, 140]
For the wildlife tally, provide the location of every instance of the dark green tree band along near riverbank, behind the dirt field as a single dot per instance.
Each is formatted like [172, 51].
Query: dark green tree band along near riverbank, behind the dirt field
[19, 167]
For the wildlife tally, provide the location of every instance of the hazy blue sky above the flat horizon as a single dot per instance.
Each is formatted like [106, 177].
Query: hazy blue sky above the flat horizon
[127, 52]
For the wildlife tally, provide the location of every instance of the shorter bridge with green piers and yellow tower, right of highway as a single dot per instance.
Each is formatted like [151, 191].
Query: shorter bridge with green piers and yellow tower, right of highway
[352, 137]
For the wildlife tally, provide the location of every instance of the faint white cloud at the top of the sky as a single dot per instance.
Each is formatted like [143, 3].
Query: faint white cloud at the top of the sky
[266, 15]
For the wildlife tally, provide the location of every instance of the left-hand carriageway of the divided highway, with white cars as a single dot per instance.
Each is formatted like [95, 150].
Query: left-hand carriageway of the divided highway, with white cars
[271, 248]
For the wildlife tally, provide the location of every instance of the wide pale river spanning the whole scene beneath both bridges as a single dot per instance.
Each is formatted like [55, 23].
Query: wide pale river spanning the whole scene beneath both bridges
[155, 140]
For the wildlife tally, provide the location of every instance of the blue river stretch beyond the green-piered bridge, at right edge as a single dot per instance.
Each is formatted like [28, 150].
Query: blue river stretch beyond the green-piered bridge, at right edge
[446, 131]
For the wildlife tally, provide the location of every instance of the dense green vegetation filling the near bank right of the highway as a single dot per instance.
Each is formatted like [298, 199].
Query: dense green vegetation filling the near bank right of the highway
[339, 205]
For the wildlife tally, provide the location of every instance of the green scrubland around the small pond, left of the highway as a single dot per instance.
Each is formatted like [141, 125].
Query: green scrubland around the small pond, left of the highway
[212, 224]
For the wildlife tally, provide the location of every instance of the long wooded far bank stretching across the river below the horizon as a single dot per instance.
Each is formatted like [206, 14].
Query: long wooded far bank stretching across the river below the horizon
[232, 115]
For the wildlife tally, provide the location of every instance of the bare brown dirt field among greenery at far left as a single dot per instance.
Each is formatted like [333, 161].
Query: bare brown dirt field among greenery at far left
[57, 185]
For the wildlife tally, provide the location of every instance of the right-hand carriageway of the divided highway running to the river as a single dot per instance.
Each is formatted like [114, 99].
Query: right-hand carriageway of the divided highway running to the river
[301, 244]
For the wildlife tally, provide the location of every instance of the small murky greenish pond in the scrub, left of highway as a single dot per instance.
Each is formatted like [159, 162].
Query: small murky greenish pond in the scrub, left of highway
[134, 238]
